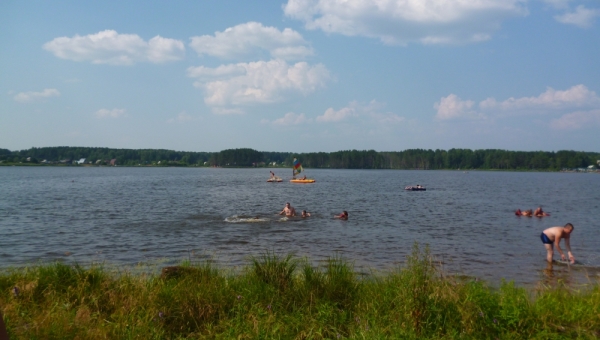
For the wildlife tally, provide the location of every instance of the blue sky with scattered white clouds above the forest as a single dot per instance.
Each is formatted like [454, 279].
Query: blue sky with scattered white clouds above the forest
[301, 75]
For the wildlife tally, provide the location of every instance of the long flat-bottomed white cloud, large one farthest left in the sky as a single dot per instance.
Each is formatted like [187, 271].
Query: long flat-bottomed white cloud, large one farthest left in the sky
[110, 47]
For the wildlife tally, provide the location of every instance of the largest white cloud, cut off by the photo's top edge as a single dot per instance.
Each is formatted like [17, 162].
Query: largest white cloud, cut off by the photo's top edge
[404, 21]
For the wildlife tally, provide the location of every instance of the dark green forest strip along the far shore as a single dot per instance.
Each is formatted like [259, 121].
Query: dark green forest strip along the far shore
[351, 159]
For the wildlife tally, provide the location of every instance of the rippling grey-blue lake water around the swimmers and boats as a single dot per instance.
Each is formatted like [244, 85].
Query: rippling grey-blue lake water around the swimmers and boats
[131, 215]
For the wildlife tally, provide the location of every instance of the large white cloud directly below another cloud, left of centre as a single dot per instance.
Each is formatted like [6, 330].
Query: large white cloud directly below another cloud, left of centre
[257, 82]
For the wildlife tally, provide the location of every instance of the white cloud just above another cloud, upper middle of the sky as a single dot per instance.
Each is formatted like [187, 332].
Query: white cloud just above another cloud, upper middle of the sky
[250, 39]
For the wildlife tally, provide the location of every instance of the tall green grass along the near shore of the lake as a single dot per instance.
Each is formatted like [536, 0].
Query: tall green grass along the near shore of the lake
[285, 297]
